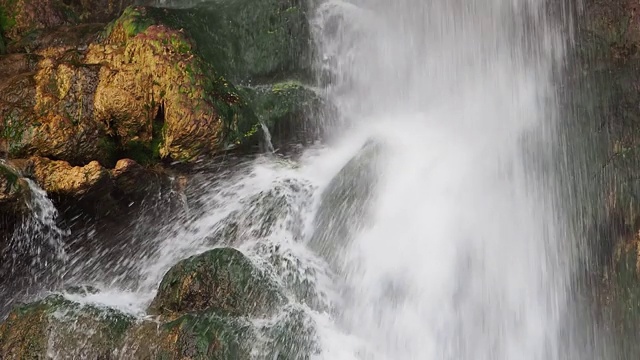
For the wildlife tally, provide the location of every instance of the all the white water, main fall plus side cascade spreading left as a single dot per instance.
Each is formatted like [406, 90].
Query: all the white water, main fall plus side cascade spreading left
[433, 226]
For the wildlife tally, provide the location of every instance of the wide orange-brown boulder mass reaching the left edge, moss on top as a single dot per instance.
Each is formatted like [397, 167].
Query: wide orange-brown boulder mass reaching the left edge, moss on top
[141, 92]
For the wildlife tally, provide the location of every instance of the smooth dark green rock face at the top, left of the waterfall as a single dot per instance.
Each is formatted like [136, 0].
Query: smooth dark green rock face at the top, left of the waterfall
[247, 40]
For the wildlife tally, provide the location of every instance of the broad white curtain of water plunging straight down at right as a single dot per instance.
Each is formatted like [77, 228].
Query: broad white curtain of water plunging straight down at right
[460, 260]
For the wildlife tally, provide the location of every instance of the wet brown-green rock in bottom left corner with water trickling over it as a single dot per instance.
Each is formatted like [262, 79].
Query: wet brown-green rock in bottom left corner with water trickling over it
[63, 329]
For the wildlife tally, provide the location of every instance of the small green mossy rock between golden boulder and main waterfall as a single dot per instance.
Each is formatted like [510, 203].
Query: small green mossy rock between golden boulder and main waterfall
[290, 111]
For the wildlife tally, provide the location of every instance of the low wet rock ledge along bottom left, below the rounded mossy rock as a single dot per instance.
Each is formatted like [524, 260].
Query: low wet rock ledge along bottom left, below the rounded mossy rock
[59, 328]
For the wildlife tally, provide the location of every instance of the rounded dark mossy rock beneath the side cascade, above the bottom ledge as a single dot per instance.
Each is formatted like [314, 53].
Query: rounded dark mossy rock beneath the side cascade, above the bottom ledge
[222, 280]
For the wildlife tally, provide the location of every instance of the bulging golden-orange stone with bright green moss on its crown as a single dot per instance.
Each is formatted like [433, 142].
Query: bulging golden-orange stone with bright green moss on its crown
[160, 97]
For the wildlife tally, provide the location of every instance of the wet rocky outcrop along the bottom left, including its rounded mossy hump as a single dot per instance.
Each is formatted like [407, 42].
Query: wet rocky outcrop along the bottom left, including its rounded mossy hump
[203, 307]
